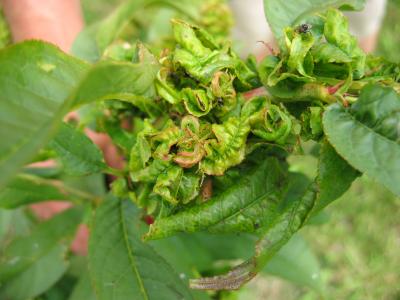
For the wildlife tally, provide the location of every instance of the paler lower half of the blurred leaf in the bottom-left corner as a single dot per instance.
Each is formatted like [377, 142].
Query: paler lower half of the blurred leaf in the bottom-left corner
[37, 278]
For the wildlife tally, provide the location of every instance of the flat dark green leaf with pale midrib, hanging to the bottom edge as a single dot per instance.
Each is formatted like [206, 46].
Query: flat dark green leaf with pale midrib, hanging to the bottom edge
[121, 266]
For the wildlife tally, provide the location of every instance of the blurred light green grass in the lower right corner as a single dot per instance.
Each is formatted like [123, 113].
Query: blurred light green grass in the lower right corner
[359, 246]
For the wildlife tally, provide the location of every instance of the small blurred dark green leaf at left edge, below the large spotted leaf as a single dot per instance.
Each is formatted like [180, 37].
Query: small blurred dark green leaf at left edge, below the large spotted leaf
[25, 190]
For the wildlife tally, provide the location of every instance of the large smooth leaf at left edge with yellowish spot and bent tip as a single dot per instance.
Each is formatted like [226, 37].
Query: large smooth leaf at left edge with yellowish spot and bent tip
[33, 102]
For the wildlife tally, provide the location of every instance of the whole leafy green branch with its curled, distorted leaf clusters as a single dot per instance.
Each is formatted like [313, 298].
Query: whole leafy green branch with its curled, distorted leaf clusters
[202, 155]
